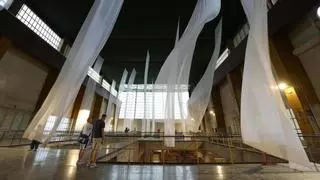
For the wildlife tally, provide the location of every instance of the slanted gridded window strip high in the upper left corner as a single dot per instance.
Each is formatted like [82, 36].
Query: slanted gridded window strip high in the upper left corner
[30, 19]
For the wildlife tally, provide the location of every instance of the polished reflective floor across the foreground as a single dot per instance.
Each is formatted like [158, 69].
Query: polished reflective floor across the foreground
[47, 164]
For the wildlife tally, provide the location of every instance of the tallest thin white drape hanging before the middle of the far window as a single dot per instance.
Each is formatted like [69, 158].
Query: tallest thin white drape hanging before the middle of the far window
[145, 121]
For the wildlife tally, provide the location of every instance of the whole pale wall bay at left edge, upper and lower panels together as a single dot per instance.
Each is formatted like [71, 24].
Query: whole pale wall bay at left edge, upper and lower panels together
[21, 81]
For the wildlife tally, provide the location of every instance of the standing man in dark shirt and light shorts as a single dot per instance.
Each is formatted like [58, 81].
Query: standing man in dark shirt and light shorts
[97, 139]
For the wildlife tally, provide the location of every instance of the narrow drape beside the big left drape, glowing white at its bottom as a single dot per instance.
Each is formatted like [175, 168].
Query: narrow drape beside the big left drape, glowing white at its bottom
[88, 96]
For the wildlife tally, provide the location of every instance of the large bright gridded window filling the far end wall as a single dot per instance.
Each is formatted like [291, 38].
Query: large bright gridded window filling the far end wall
[132, 106]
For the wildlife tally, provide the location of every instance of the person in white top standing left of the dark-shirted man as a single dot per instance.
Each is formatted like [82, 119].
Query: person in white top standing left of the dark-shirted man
[85, 136]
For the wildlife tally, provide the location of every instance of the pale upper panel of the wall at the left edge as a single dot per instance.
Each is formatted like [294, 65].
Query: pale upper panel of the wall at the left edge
[21, 81]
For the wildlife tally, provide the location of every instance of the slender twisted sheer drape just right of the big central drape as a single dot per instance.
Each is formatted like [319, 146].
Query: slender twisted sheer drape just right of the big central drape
[200, 96]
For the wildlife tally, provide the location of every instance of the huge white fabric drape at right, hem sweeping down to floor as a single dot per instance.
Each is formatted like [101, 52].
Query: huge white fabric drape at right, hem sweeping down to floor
[264, 124]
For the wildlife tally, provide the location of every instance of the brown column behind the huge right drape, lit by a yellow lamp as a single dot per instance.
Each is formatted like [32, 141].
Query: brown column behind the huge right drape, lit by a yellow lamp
[290, 70]
